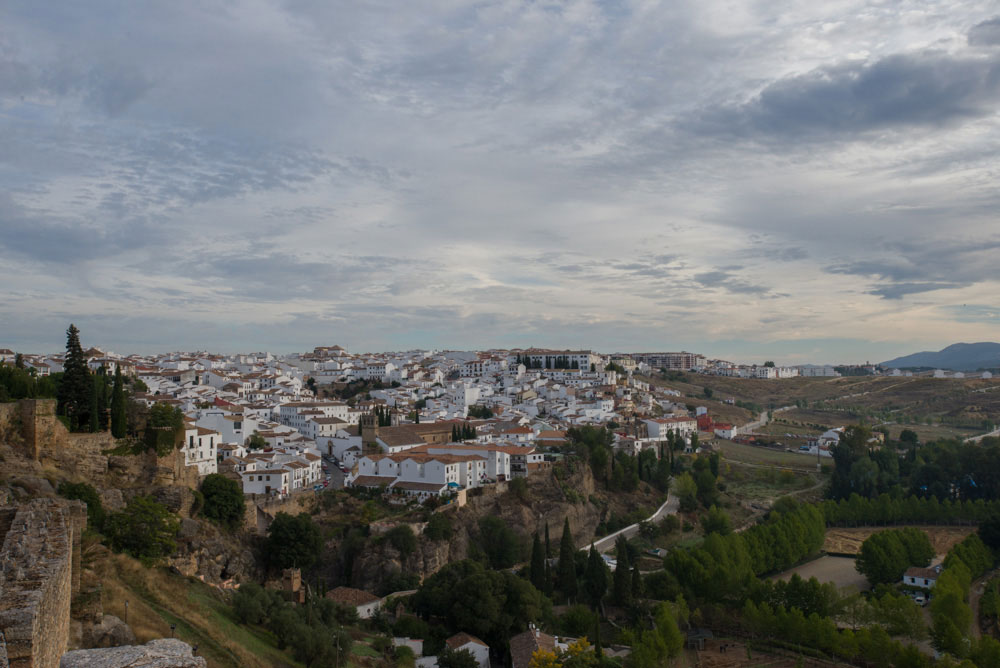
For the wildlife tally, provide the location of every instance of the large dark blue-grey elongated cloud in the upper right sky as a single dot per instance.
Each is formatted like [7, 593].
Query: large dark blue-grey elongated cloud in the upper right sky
[924, 89]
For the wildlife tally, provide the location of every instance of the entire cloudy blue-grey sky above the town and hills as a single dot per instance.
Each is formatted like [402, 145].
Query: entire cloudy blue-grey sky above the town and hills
[777, 179]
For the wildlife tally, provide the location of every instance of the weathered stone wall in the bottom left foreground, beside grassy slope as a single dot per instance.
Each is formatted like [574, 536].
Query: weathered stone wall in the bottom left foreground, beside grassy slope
[39, 573]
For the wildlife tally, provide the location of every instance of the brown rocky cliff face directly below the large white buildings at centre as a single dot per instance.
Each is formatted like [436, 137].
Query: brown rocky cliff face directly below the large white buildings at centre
[545, 501]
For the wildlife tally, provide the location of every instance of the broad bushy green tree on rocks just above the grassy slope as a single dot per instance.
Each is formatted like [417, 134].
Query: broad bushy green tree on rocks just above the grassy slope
[145, 529]
